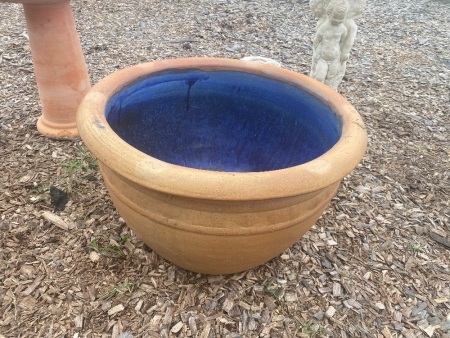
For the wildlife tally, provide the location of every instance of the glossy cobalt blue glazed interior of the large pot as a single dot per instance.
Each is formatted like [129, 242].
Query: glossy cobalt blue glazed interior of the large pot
[223, 120]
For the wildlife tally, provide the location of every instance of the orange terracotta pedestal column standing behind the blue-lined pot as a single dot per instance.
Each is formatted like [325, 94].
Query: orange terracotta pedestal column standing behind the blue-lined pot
[61, 73]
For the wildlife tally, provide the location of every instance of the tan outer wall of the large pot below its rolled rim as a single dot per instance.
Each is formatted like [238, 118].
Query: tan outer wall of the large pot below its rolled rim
[210, 236]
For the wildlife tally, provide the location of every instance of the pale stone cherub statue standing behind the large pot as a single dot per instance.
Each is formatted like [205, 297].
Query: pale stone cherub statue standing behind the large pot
[336, 32]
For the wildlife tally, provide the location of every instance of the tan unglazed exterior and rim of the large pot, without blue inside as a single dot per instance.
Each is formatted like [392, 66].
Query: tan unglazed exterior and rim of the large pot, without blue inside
[210, 221]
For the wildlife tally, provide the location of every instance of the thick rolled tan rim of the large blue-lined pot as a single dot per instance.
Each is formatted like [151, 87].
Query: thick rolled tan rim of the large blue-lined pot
[149, 172]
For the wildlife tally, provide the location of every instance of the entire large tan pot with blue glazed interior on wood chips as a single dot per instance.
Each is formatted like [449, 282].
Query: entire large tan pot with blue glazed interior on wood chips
[219, 165]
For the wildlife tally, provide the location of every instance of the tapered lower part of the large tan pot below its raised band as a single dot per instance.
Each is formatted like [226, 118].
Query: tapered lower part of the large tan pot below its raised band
[209, 253]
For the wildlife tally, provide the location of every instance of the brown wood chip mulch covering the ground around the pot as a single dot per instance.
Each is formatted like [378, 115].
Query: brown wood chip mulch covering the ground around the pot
[376, 264]
